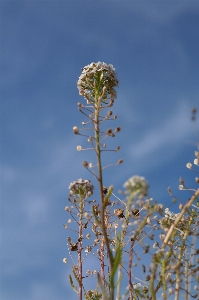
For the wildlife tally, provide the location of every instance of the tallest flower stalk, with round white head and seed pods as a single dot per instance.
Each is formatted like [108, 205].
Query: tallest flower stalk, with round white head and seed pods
[97, 84]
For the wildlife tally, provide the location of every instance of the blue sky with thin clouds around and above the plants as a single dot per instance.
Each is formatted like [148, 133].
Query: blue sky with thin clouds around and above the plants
[44, 44]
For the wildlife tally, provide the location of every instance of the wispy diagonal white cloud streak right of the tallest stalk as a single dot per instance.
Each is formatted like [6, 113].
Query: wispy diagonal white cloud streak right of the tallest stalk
[164, 140]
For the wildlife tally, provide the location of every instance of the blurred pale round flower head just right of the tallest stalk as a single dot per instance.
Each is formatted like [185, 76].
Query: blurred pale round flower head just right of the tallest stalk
[137, 184]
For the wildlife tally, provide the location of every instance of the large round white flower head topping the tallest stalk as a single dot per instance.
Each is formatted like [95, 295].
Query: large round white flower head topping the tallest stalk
[98, 80]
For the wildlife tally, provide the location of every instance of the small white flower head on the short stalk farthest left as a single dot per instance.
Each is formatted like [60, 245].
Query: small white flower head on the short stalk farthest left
[81, 187]
